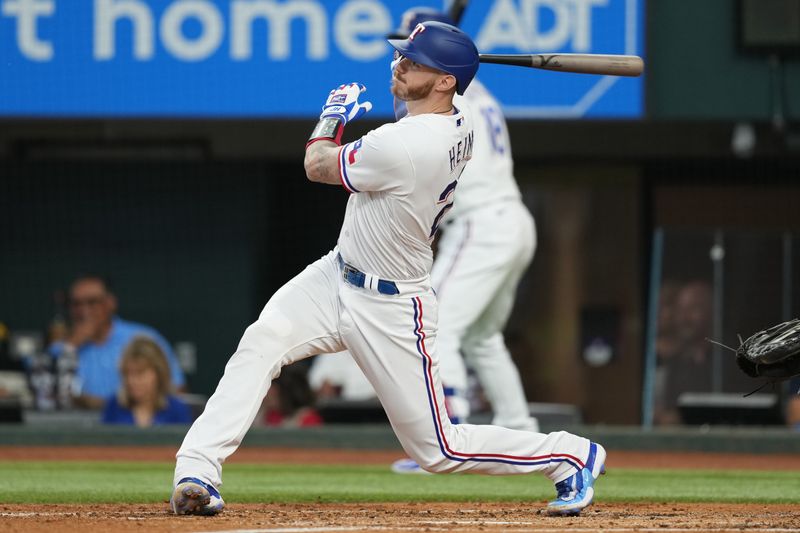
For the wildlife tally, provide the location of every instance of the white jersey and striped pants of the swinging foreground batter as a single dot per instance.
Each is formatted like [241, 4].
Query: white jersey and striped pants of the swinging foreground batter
[402, 177]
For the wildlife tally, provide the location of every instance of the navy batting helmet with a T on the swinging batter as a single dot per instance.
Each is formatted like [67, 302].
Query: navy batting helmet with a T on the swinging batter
[443, 47]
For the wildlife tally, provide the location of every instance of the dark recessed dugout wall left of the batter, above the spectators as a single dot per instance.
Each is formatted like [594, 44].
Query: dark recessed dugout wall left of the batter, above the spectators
[192, 248]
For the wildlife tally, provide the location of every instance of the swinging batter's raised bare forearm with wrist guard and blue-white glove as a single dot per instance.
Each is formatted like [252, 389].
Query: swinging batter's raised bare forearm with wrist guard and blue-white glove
[323, 147]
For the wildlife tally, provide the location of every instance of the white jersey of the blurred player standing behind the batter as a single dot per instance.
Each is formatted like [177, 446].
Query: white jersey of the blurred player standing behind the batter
[490, 175]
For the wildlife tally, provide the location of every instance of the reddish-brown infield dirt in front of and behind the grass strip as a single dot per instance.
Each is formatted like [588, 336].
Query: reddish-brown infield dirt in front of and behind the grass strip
[474, 516]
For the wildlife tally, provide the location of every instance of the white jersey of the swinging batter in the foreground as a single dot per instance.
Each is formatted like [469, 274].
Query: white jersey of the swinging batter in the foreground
[405, 174]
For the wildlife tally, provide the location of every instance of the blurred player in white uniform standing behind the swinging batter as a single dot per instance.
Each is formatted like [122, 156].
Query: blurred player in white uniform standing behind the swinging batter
[485, 245]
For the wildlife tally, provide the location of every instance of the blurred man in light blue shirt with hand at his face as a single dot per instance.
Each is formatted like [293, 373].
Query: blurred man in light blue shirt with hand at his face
[97, 338]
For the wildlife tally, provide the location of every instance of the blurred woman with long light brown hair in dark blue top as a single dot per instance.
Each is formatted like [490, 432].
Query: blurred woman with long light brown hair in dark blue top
[145, 397]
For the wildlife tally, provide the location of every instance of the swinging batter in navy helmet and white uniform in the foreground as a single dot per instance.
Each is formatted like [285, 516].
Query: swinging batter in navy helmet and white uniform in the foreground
[372, 293]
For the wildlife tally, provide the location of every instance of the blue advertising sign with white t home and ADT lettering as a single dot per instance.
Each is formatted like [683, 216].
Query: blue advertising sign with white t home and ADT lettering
[280, 58]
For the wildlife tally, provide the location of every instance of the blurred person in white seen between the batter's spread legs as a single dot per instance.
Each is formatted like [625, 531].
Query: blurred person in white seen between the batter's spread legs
[337, 375]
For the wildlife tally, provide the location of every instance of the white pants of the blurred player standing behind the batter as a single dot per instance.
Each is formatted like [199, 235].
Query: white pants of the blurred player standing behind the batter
[480, 260]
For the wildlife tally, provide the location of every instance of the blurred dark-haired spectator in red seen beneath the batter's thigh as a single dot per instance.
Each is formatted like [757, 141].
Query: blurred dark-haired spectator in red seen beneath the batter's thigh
[290, 401]
